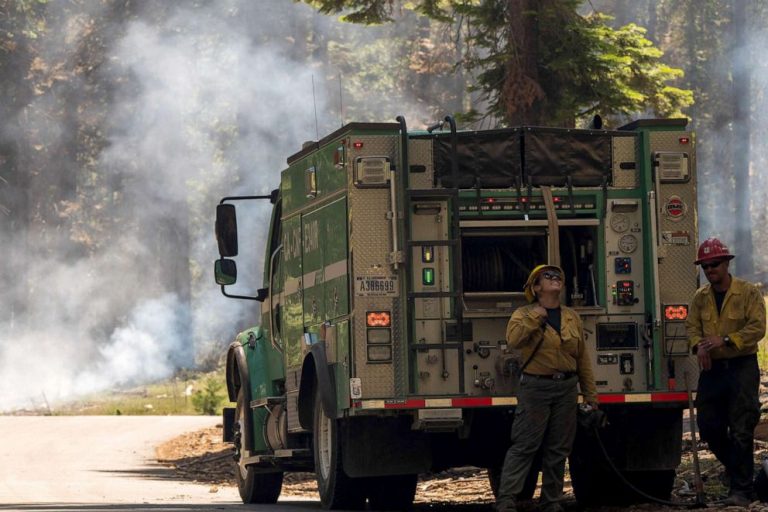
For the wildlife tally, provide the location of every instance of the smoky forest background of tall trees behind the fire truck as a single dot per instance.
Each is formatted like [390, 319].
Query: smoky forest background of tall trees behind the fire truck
[123, 122]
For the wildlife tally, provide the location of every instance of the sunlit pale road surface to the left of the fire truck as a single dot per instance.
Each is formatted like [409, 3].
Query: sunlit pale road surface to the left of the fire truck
[100, 463]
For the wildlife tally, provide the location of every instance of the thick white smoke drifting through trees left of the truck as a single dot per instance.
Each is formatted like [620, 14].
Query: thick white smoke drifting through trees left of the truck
[201, 109]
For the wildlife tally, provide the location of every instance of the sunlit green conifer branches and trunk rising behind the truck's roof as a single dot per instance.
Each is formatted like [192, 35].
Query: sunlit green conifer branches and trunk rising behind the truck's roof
[569, 67]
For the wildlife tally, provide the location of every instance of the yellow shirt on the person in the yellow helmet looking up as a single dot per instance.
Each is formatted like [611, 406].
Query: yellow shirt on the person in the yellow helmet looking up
[566, 353]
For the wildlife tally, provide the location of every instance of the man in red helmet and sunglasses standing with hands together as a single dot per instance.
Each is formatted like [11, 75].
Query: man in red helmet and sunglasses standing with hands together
[725, 323]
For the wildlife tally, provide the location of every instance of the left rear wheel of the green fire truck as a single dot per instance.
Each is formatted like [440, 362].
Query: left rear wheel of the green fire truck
[336, 489]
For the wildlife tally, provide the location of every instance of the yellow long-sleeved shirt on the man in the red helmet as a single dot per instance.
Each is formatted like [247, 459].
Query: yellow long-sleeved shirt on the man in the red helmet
[742, 318]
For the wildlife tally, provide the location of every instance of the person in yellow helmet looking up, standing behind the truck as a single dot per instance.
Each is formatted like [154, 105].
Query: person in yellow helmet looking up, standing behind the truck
[551, 339]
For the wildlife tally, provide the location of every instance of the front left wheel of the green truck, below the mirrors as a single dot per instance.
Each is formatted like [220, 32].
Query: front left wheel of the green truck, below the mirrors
[254, 487]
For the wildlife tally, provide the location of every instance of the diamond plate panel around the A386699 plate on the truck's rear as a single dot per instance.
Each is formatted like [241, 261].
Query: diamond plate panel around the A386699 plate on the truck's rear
[370, 244]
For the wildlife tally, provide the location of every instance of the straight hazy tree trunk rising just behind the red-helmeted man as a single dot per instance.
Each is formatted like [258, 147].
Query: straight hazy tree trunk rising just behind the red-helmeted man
[742, 77]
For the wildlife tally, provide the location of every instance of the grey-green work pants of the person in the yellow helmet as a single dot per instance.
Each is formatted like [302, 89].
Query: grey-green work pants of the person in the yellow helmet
[545, 418]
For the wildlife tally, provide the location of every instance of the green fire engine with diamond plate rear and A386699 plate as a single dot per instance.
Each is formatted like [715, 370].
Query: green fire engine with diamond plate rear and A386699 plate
[393, 262]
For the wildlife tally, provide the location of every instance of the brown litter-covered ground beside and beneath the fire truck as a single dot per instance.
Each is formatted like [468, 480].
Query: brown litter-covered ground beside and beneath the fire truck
[202, 456]
